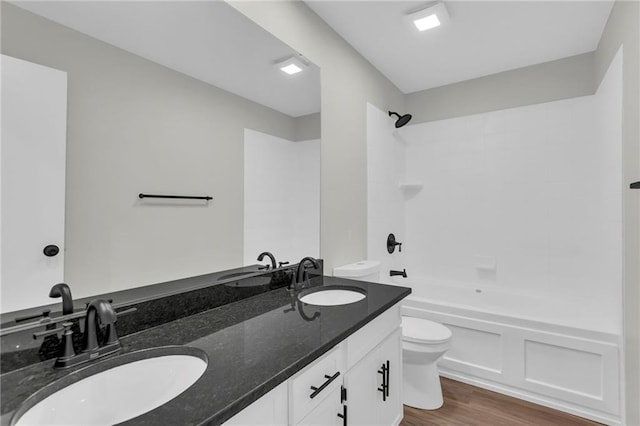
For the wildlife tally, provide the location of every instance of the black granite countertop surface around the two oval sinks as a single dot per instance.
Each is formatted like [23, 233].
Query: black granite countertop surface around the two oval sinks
[252, 345]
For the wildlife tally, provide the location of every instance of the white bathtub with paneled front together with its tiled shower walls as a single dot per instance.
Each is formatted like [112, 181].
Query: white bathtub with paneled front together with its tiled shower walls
[514, 242]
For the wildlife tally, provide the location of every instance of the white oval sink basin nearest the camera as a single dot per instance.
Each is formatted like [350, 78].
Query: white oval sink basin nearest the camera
[119, 393]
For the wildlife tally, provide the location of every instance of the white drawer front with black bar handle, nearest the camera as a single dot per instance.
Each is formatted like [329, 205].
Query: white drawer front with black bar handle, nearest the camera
[311, 386]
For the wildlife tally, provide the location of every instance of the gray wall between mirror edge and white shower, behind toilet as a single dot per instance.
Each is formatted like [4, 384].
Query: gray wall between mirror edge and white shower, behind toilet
[348, 82]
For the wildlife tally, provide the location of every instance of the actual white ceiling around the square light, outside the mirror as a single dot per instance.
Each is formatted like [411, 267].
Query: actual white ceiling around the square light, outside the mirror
[482, 38]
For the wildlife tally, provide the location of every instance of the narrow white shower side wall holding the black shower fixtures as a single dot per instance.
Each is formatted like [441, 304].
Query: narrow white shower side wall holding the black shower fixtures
[385, 196]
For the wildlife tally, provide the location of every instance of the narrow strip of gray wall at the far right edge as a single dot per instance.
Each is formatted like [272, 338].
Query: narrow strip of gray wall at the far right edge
[623, 29]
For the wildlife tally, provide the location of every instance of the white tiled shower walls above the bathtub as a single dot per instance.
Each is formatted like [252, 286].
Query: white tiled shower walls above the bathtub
[535, 191]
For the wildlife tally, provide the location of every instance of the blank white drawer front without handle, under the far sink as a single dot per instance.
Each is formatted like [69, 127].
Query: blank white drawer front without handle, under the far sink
[368, 337]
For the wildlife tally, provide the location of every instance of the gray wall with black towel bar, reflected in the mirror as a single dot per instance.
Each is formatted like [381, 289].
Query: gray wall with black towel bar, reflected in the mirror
[135, 126]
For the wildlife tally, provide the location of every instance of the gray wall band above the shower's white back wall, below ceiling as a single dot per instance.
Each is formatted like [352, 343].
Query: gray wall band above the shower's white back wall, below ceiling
[546, 82]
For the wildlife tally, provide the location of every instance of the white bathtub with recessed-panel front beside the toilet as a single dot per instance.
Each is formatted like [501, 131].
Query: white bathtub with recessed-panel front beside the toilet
[546, 350]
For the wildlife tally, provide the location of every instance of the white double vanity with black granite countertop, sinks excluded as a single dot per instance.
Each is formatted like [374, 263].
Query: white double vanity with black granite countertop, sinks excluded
[271, 358]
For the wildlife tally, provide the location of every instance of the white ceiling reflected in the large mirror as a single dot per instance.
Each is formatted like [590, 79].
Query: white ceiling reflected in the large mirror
[209, 41]
